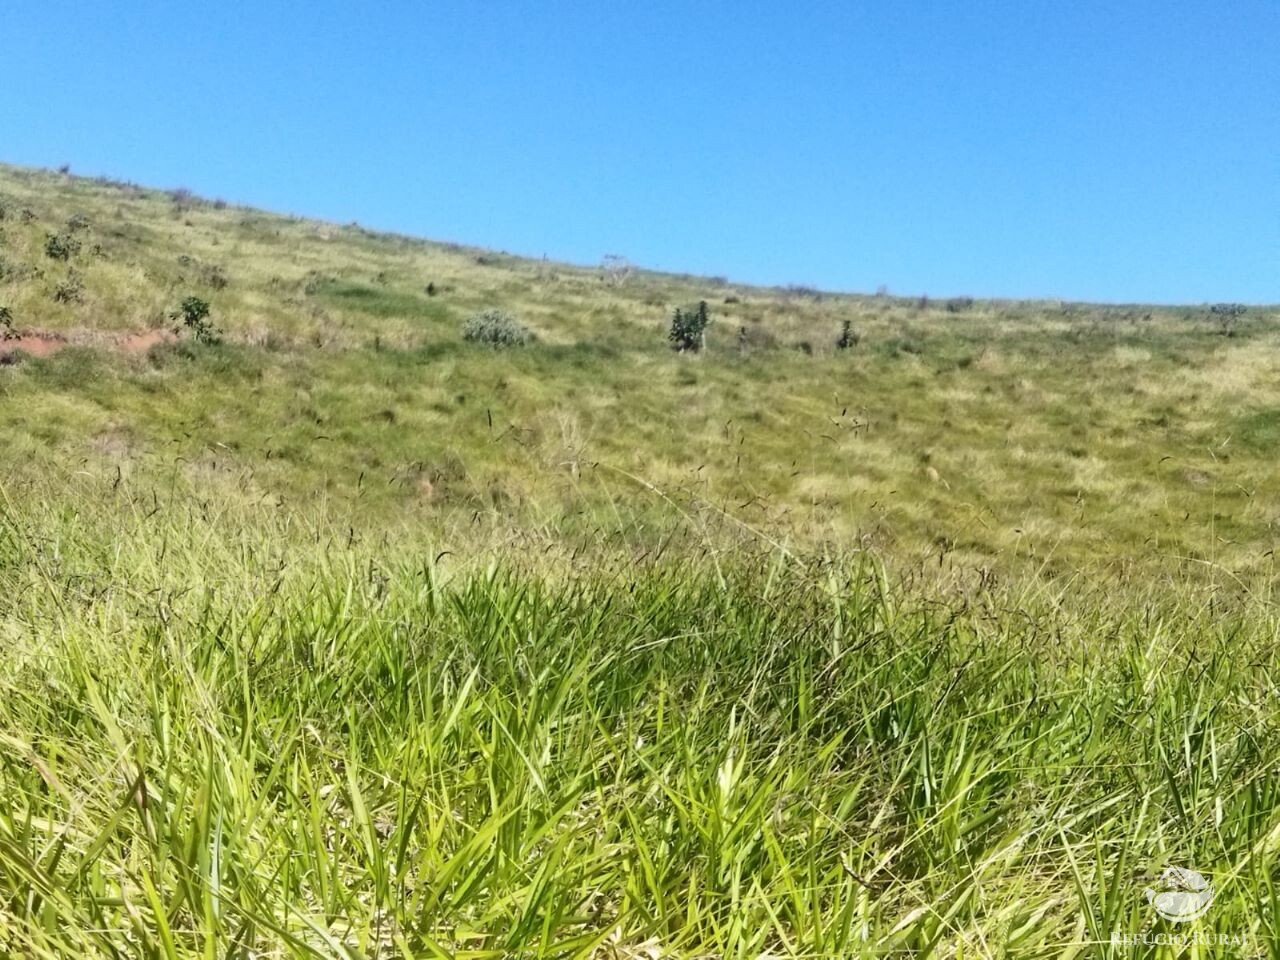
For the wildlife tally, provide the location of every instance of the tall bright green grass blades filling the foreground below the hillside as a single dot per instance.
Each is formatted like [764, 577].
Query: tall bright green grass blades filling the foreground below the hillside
[214, 748]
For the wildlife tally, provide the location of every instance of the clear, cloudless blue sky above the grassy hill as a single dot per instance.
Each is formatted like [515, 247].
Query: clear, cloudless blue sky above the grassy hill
[1122, 150]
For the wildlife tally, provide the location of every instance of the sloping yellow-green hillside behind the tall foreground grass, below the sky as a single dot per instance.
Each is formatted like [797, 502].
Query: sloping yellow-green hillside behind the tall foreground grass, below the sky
[985, 435]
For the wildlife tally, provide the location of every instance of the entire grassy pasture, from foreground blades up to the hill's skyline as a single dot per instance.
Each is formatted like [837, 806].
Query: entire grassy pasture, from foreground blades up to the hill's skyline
[348, 638]
